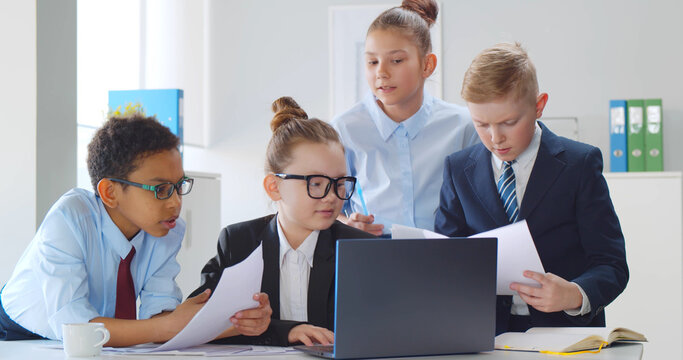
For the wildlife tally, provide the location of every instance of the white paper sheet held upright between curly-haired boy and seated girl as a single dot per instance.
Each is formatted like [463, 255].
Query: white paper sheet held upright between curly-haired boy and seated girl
[234, 292]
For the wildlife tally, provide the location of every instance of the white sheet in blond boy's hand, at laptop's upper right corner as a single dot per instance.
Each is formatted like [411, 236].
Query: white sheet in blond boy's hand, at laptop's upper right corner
[516, 253]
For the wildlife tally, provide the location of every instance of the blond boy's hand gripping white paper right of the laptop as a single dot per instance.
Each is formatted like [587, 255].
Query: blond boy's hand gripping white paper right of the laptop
[555, 293]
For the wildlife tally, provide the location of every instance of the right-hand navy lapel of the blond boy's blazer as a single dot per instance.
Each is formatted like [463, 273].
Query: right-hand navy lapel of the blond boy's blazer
[546, 170]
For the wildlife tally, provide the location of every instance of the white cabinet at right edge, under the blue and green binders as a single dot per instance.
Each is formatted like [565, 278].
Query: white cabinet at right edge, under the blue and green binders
[650, 212]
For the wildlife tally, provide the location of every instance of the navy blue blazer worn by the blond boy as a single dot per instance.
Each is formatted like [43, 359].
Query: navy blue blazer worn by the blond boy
[569, 212]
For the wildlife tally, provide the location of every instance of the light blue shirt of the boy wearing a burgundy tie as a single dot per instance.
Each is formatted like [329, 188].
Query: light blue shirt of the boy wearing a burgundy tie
[68, 272]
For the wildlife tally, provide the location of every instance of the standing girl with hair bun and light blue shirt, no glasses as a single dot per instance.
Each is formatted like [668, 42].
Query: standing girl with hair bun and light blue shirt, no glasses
[398, 136]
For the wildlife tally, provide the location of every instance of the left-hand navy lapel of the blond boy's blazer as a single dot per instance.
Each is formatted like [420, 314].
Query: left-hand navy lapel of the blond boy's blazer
[479, 173]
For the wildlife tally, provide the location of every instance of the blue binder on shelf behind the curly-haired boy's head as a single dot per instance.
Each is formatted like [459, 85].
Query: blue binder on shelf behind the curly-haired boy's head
[165, 104]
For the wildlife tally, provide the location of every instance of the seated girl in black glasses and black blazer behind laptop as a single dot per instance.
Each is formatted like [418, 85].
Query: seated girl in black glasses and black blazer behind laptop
[306, 178]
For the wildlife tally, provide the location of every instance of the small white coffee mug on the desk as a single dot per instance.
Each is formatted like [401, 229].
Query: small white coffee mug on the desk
[85, 339]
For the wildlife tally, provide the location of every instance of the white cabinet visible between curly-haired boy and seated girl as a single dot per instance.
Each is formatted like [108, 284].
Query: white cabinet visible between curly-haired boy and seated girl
[202, 213]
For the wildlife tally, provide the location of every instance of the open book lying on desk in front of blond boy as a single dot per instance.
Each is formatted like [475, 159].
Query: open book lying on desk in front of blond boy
[564, 339]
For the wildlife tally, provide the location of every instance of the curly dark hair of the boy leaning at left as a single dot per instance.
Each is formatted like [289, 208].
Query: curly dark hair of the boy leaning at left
[118, 145]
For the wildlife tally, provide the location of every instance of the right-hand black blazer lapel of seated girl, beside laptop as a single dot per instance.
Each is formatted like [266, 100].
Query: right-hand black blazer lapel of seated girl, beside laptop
[321, 278]
